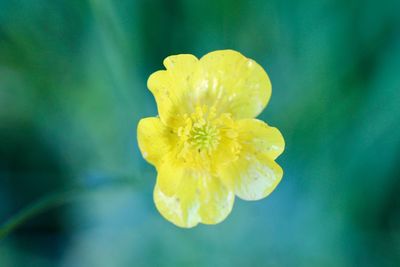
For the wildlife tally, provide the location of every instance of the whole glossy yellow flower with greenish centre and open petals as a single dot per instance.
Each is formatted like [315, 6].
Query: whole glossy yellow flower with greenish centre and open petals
[206, 145]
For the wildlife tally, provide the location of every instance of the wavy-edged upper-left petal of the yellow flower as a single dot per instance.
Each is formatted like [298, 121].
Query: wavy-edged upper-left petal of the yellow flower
[170, 87]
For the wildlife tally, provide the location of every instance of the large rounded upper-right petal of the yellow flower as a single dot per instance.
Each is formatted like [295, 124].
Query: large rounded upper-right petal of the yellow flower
[235, 84]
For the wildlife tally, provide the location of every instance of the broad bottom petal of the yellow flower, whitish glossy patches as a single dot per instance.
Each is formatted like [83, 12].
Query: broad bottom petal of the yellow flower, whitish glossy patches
[199, 197]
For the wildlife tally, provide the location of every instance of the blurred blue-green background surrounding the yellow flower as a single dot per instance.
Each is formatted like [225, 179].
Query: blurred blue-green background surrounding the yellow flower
[73, 88]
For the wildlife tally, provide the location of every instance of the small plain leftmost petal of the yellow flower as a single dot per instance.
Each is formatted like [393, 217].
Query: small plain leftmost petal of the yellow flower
[155, 140]
